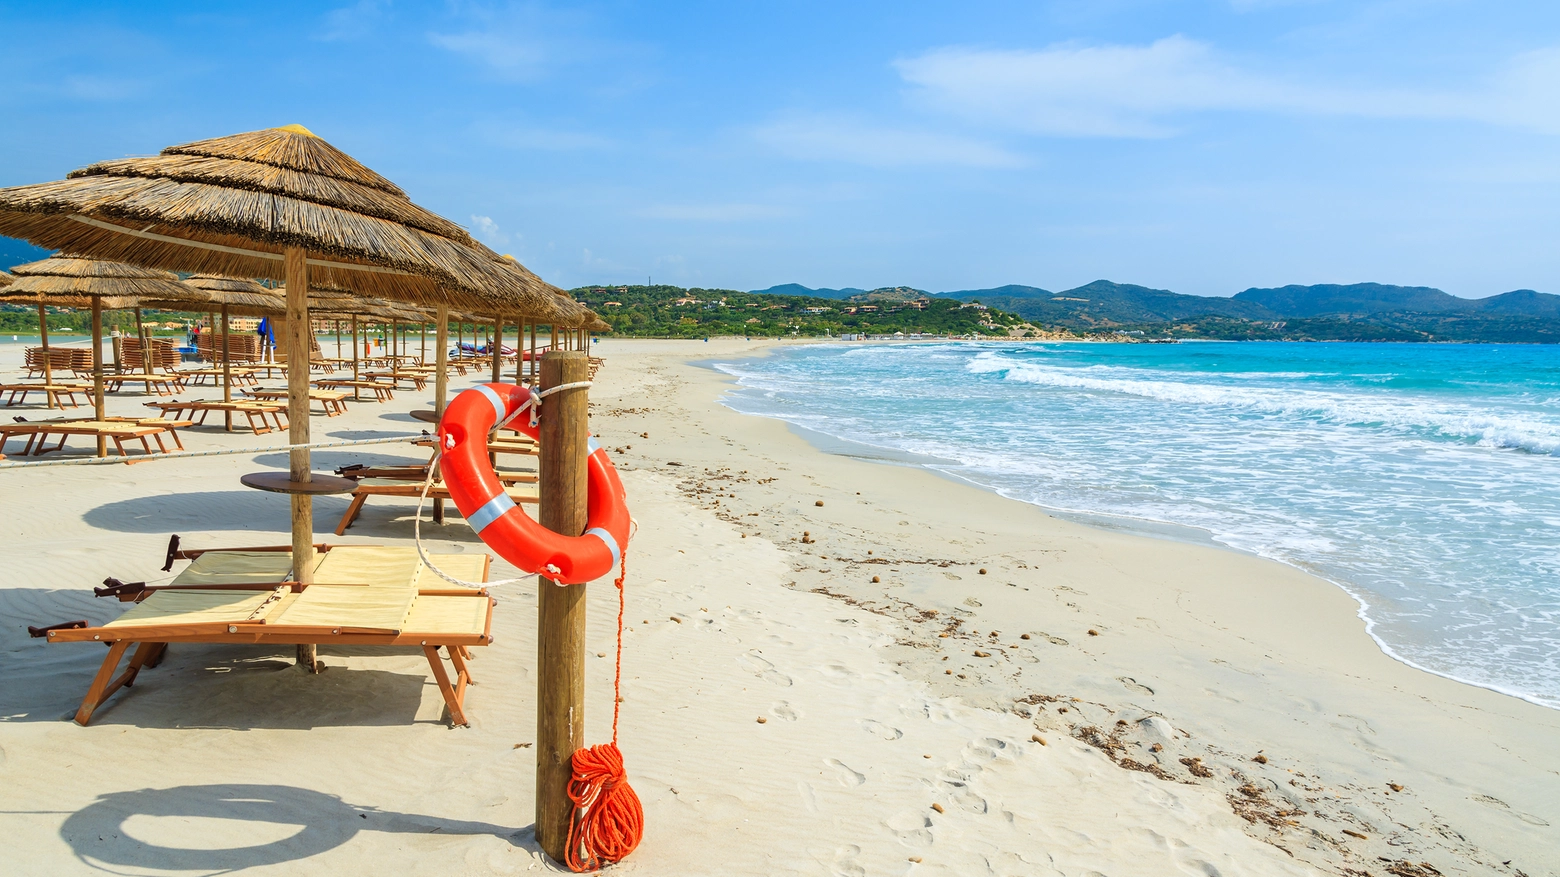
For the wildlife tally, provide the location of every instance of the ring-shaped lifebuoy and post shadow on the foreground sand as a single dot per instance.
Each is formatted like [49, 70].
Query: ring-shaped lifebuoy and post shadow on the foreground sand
[99, 836]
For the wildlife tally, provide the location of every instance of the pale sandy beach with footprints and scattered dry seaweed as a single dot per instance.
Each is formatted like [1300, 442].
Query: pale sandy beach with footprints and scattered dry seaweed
[834, 666]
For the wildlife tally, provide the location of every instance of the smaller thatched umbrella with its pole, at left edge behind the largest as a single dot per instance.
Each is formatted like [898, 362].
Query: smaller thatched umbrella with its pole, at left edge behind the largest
[73, 282]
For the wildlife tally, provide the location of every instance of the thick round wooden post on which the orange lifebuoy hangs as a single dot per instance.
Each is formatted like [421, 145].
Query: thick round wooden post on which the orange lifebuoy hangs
[561, 633]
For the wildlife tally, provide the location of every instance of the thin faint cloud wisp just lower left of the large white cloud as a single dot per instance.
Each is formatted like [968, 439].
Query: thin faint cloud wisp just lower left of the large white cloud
[824, 138]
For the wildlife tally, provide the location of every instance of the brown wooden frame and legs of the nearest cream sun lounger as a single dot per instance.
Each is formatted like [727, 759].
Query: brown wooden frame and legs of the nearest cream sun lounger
[152, 641]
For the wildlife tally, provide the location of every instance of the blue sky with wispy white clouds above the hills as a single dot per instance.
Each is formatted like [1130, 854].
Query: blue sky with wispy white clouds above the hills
[1200, 146]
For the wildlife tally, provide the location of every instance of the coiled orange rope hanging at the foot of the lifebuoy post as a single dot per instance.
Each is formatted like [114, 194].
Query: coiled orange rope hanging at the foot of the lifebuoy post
[609, 818]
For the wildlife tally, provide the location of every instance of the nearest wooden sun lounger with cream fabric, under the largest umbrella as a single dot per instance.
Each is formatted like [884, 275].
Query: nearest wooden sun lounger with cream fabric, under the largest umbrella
[361, 597]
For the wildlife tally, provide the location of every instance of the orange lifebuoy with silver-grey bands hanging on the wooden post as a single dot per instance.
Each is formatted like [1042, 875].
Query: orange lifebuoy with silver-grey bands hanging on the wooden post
[494, 516]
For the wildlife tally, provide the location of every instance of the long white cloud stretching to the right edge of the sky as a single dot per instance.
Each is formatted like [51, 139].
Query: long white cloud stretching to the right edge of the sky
[1146, 91]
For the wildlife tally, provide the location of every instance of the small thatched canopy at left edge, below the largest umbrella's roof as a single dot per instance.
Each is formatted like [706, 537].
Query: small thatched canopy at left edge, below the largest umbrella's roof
[73, 282]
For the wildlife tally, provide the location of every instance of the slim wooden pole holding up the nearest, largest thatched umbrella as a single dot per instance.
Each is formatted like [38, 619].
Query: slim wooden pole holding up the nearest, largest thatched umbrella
[297, 266]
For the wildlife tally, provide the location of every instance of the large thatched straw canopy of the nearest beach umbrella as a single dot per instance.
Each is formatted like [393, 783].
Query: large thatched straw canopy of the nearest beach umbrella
[235, 205]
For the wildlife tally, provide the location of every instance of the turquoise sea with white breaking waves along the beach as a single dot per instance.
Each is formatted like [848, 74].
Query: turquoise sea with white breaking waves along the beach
[1423, 480]
